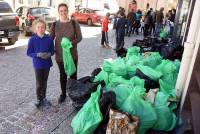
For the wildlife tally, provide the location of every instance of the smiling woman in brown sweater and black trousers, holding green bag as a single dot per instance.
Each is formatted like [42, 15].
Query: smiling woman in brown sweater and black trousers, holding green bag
[65, 27]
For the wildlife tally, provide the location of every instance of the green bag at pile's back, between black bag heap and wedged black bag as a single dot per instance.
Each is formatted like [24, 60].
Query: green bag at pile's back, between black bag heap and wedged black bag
[152, 60]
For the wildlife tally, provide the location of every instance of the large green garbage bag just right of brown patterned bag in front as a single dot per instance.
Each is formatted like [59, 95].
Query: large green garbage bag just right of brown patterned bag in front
[137, 106]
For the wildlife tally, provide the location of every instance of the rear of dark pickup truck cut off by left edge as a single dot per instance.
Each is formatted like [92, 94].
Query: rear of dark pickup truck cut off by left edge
[9, 23]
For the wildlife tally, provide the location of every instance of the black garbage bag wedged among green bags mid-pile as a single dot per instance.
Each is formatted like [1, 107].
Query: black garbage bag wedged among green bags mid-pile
[149, 83]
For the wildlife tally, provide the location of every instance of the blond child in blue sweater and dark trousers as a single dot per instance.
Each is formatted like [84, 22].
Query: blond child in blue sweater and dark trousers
[40, 49]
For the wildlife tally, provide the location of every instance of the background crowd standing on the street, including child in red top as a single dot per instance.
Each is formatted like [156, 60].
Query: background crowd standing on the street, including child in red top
[149, 23]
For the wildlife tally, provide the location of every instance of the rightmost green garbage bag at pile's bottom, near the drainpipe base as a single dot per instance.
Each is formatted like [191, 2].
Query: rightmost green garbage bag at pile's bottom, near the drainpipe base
[166, 118]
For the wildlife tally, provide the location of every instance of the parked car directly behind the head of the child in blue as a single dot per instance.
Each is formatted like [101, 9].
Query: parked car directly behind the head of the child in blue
[28, 14]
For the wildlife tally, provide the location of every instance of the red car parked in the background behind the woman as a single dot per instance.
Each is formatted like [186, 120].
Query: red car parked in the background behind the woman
[88, 16]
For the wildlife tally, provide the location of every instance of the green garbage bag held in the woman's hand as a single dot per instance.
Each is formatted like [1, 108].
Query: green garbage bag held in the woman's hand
[69, 65]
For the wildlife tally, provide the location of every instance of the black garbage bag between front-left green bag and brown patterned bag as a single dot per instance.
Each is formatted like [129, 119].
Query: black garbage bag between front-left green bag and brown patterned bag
[107, 101]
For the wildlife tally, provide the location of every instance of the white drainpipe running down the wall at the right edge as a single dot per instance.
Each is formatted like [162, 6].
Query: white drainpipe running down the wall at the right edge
[192, 44]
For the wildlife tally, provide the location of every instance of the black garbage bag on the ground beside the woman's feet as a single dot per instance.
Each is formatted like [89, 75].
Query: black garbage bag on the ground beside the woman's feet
[79, 91]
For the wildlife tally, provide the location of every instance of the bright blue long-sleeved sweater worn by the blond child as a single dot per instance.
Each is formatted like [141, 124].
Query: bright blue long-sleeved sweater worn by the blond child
[38, 44]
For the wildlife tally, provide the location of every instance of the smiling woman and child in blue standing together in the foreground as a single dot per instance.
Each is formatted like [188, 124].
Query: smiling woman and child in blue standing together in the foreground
[41, 48]
